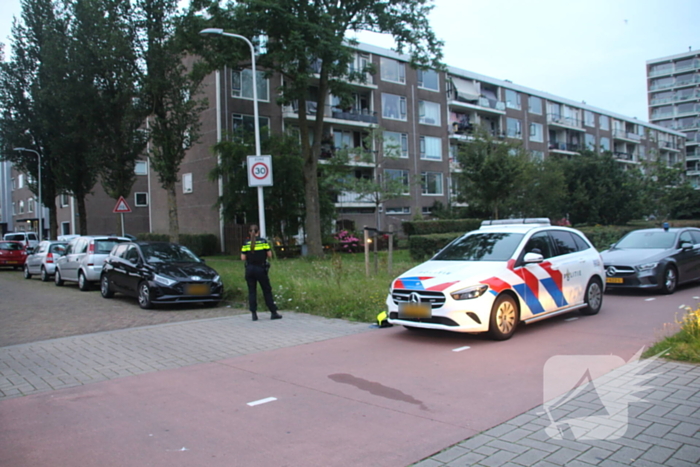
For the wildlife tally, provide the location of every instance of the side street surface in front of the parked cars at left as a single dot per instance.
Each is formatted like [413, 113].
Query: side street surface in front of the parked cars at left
[31, 311]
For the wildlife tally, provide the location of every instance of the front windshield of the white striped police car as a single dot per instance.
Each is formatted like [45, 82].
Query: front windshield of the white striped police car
[482, 246]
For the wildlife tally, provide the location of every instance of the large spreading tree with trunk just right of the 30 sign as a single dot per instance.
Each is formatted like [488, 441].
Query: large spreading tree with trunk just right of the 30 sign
[308, 46]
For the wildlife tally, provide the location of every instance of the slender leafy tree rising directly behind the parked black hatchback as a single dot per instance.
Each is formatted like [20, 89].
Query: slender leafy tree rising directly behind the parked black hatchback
[170, 91]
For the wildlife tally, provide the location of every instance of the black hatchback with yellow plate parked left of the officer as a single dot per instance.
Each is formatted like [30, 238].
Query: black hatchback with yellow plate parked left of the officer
[159, 272]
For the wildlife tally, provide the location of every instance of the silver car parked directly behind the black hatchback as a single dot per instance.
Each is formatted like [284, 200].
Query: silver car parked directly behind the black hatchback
[84, 258]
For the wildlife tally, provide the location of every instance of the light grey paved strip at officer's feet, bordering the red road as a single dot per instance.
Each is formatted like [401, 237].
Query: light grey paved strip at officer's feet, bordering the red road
[73, 361]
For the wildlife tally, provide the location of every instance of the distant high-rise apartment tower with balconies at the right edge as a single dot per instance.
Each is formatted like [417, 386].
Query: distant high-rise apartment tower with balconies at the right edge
[673, 85]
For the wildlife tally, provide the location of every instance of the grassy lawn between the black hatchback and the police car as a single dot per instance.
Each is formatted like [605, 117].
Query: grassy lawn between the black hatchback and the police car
[335, 286]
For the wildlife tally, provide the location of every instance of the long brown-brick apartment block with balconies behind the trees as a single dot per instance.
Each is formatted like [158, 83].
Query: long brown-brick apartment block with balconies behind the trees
[423, 115]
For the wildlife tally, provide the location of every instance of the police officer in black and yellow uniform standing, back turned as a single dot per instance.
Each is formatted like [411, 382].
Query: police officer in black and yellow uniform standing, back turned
[256, 252]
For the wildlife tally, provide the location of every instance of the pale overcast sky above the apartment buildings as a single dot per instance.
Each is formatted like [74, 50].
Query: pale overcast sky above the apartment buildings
[583, 50]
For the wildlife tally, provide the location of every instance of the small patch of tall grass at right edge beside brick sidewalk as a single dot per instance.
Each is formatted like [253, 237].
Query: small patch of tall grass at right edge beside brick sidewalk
[684, 346]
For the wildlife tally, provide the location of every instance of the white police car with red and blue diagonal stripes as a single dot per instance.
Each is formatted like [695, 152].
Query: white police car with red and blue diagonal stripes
[491, 279]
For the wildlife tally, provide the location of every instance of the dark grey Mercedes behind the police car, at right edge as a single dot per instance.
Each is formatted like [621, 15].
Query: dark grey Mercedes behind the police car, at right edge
[653, 259]
